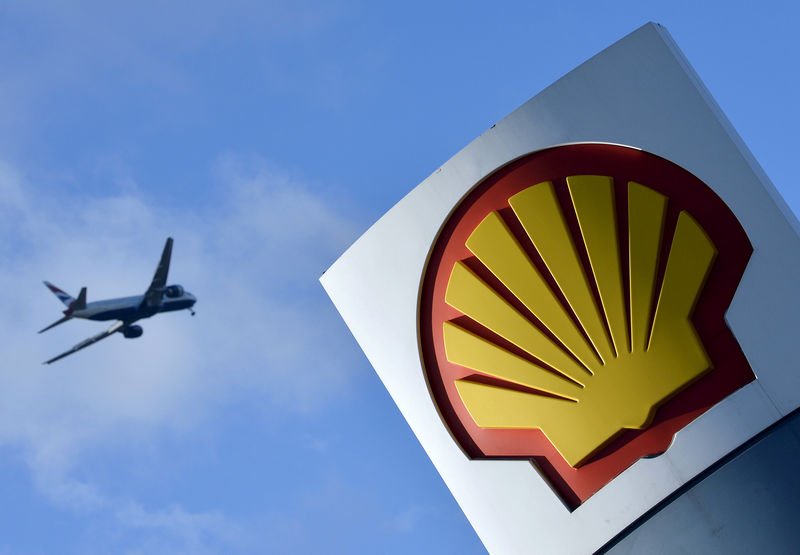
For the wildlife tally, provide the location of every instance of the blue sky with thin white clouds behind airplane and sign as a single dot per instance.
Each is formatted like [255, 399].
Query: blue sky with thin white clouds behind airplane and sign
[265, 136]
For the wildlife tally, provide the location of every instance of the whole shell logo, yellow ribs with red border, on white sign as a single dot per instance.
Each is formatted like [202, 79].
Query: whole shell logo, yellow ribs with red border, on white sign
[572, 312]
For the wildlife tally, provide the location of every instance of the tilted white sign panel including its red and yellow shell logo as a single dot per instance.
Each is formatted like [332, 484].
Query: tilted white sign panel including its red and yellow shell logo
[552, 490]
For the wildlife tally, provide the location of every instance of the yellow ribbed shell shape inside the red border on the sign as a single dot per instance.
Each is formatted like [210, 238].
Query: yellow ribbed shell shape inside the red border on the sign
[607, 368]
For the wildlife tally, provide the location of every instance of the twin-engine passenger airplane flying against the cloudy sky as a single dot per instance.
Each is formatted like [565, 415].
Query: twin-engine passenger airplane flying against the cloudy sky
[159, 297]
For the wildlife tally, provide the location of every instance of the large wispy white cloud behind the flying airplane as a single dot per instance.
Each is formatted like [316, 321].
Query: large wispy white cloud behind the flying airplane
[262, 329]
